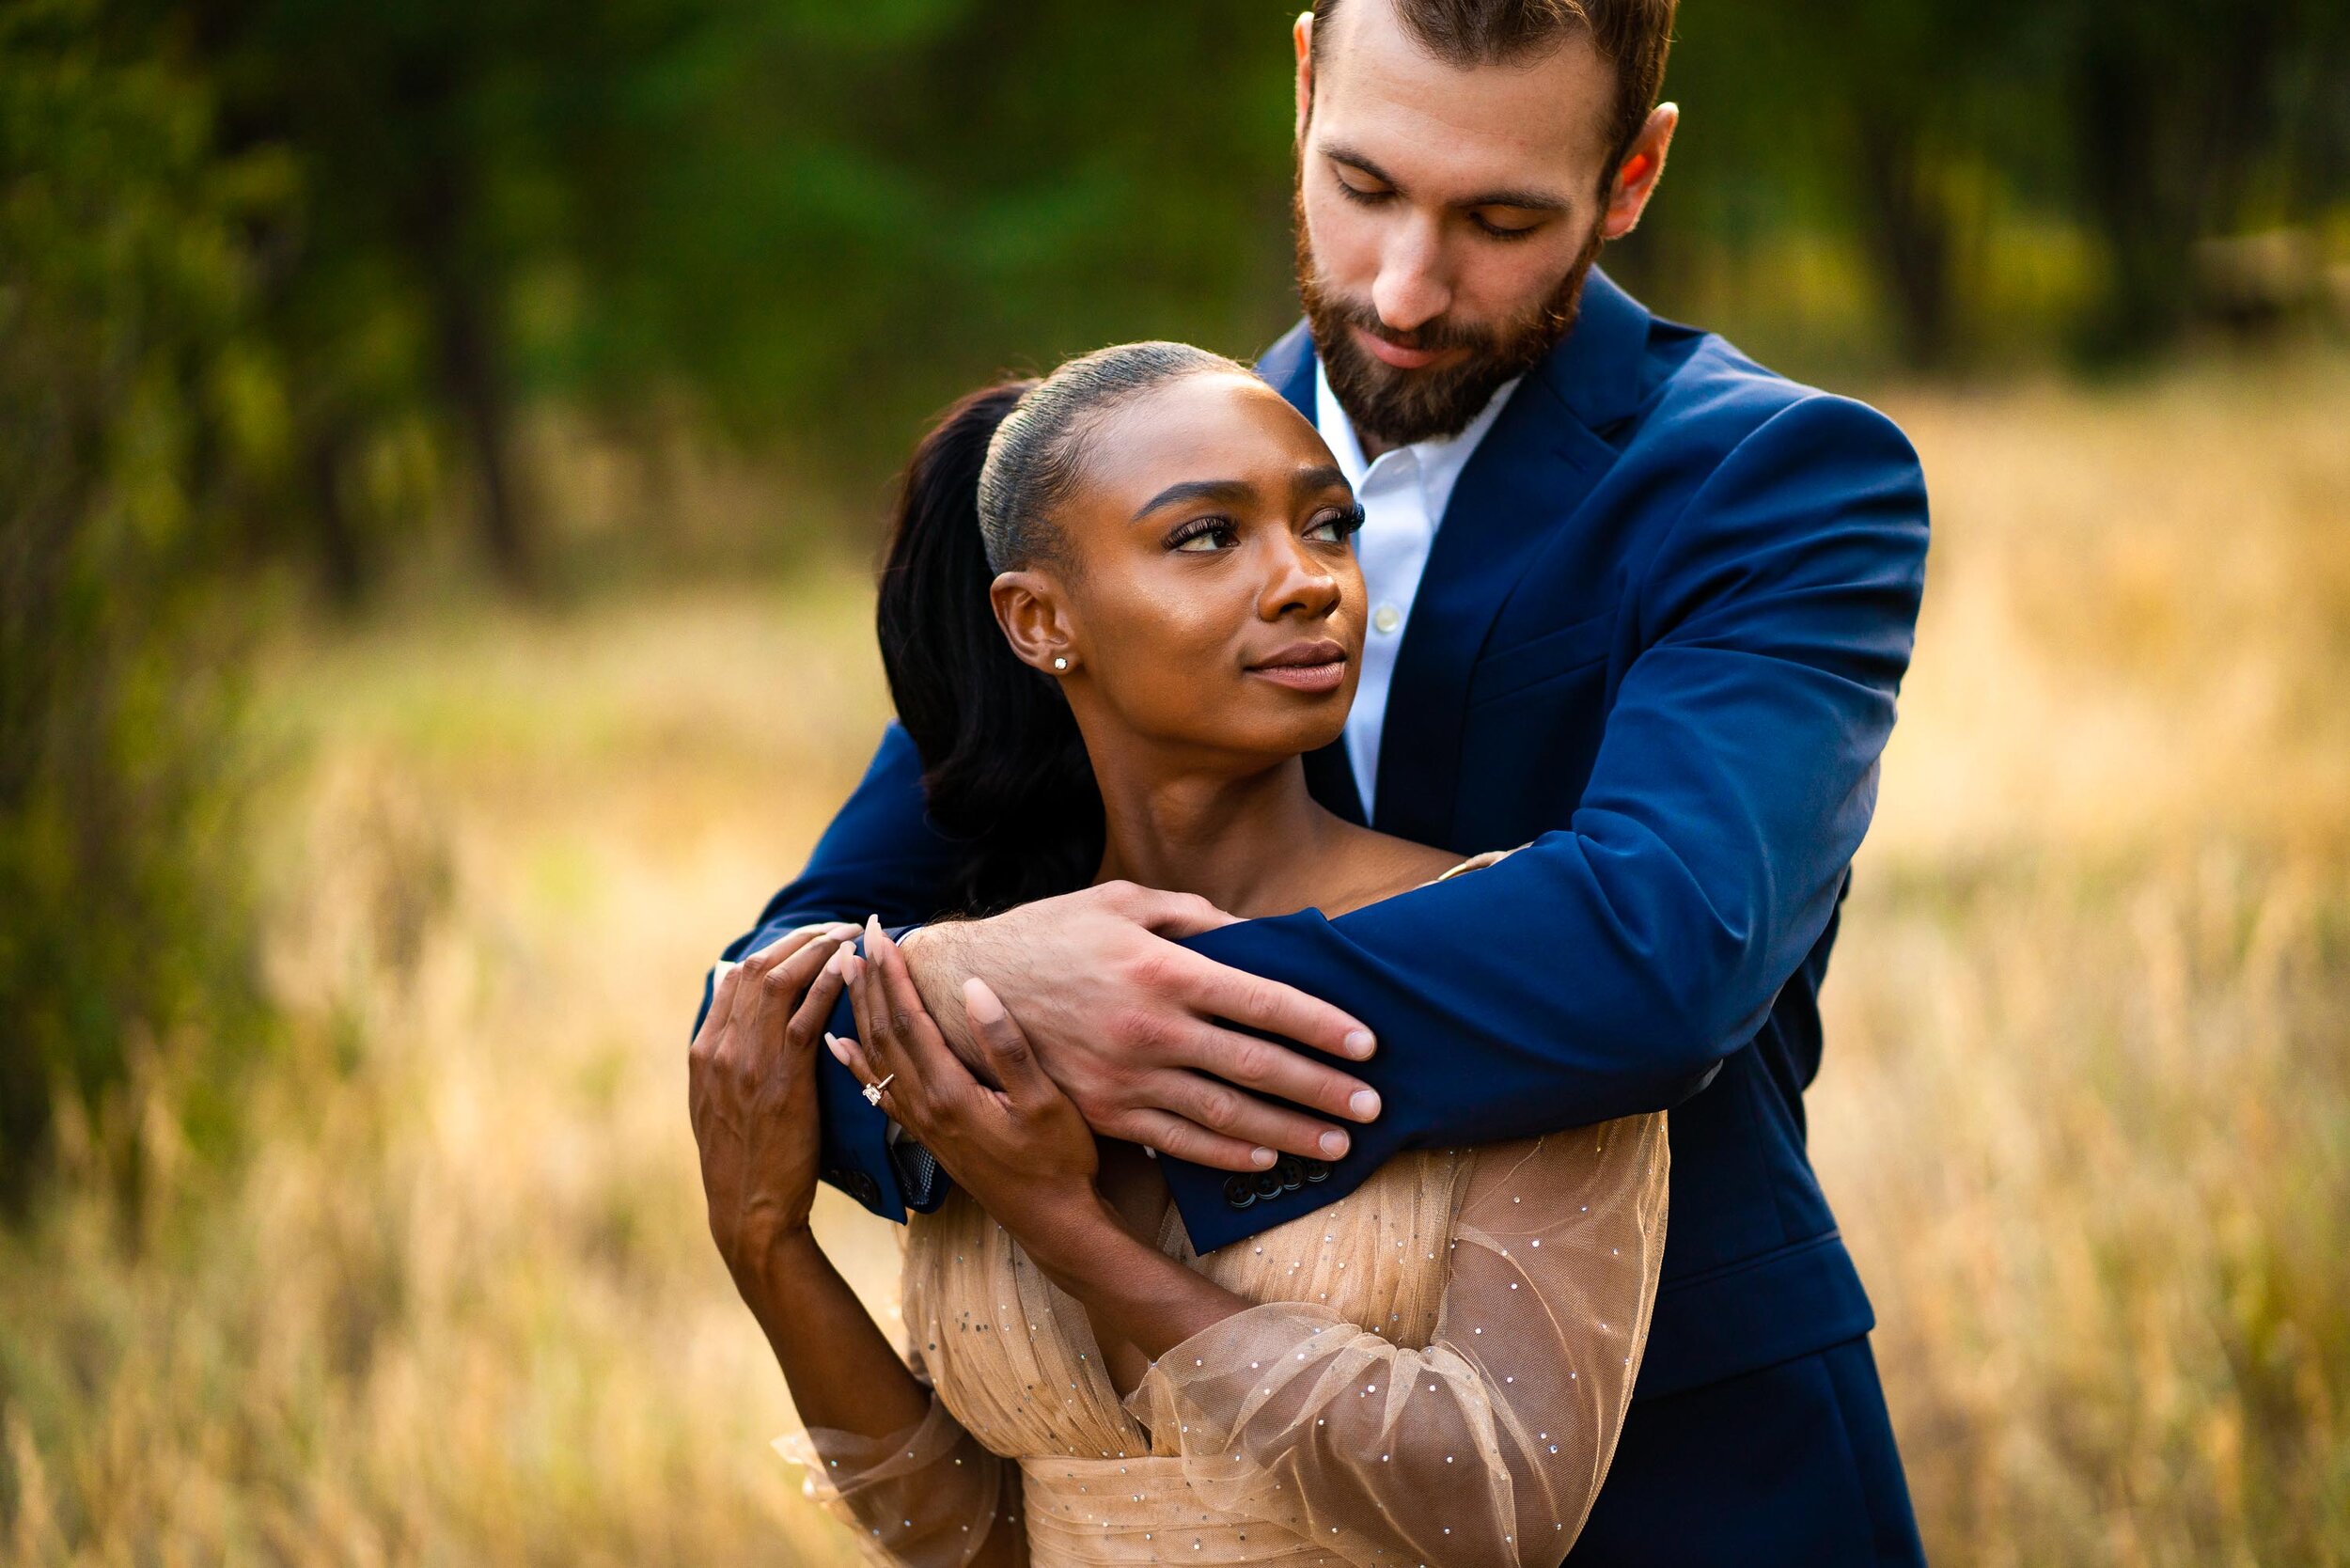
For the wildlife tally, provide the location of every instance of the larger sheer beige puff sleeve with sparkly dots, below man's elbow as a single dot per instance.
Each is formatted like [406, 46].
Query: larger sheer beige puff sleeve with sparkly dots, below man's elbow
[1489, 1445]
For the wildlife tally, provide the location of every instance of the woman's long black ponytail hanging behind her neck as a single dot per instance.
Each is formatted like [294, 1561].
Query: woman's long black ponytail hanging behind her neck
[1005, 768]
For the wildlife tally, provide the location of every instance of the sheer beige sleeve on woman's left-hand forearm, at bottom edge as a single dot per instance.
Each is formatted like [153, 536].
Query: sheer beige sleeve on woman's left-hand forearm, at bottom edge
[922, 1499]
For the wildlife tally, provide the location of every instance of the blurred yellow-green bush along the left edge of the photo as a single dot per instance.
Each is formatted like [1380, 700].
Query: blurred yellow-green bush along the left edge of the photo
[128, 410]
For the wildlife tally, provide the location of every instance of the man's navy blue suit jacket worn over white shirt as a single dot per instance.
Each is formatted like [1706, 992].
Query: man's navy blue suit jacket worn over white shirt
[1658, 641]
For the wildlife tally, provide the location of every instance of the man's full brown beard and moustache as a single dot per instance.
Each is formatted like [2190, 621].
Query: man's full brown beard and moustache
[1416, 406]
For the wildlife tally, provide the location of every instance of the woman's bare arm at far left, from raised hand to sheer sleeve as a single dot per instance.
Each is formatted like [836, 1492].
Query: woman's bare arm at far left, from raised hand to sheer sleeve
[880, 1449]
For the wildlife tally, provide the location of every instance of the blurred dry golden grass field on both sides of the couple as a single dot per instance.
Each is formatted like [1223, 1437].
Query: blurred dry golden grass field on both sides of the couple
[2086, 1108]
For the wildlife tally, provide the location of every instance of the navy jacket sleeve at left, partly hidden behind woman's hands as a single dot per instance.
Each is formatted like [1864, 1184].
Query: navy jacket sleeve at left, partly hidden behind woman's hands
[880, 857]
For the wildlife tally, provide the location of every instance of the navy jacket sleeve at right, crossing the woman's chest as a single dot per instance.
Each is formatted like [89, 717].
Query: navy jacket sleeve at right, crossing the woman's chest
[1616, 963]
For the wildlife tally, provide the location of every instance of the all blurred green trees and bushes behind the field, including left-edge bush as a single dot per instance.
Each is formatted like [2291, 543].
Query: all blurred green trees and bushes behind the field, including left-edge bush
[290, 283]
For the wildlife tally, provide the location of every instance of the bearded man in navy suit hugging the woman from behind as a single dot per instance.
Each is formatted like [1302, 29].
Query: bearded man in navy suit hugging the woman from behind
[1637, 605]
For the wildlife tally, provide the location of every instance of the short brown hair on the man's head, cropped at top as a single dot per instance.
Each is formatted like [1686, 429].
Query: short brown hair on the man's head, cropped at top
[1634, 36]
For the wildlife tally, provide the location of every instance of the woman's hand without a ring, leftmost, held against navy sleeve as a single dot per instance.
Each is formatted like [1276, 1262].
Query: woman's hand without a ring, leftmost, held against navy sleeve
[753, 1097]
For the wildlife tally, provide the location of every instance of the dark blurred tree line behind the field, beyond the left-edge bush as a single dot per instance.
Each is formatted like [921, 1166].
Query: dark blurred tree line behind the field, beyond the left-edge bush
[800, 227]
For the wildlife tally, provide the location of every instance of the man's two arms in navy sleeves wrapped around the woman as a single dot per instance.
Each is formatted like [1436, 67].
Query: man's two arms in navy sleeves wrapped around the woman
[1602, 972]
